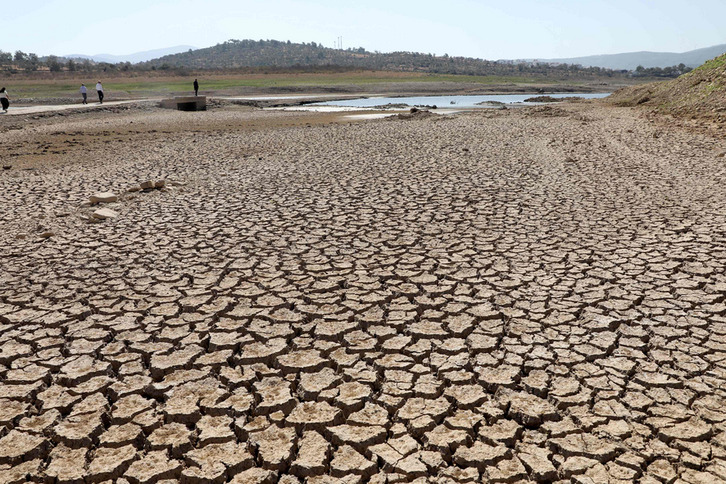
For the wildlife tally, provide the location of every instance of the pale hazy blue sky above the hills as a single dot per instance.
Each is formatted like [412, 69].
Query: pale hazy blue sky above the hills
[501, 29]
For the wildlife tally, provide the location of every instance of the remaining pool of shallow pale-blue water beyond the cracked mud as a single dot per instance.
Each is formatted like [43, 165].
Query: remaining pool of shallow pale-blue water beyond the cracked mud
[451, 101]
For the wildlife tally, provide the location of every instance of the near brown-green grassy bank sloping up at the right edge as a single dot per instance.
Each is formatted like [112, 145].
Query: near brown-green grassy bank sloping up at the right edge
[700, 93]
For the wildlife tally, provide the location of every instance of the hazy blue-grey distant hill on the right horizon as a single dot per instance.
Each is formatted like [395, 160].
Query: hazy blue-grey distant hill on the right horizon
[631, 60]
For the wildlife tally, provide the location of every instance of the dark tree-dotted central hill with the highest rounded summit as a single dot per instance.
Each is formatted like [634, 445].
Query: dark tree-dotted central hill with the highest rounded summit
[273, 53]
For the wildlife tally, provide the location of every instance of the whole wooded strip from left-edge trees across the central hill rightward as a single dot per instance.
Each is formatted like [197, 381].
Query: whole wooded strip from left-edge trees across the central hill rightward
[279, 55]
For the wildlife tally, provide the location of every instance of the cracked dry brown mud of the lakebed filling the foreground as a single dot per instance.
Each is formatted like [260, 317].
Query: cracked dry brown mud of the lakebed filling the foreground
[492, 297]
